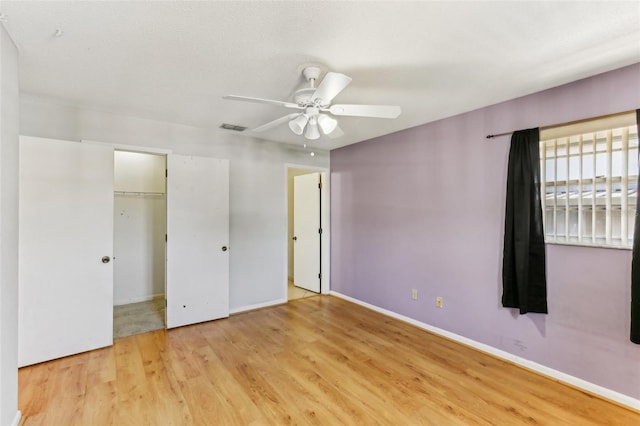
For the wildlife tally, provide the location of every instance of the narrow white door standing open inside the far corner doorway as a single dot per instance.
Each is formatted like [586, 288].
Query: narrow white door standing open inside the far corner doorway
[306, 231]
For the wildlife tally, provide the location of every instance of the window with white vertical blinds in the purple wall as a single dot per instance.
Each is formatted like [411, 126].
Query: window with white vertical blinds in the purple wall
[589, 175]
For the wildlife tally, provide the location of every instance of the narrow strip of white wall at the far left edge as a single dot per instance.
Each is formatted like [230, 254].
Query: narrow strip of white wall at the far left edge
[9, 123]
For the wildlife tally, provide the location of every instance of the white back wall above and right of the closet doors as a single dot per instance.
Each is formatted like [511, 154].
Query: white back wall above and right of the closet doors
[258, 215]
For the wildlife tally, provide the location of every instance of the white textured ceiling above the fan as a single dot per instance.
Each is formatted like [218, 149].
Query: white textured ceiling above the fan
[173, 61]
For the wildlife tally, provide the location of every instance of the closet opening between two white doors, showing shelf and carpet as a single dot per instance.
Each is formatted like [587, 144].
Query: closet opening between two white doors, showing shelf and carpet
[140, 223]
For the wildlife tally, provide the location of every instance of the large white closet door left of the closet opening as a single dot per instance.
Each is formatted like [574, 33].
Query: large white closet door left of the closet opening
[66, 243]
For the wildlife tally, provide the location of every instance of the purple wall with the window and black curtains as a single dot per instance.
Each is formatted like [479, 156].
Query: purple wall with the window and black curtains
[424, 209]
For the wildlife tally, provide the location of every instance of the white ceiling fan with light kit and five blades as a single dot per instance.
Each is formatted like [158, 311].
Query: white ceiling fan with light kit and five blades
[315, 103]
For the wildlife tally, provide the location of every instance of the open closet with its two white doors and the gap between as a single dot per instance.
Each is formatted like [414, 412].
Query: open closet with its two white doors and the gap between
[99, 230]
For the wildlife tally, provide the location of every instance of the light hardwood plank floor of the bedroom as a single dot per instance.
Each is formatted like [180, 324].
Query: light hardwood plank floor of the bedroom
[318, 360]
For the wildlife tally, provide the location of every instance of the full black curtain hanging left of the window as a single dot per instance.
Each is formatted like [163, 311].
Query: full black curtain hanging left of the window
[524, 282]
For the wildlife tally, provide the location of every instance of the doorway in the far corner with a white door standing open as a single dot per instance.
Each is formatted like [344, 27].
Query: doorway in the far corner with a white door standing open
[307, 214]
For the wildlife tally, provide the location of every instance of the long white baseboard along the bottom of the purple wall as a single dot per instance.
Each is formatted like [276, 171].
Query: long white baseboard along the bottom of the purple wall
[601, 391]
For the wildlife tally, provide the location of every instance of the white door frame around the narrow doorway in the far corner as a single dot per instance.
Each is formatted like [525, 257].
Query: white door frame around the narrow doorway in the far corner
[325, 239]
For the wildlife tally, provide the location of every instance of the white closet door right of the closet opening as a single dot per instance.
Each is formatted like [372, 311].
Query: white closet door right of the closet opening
[197, 240]
